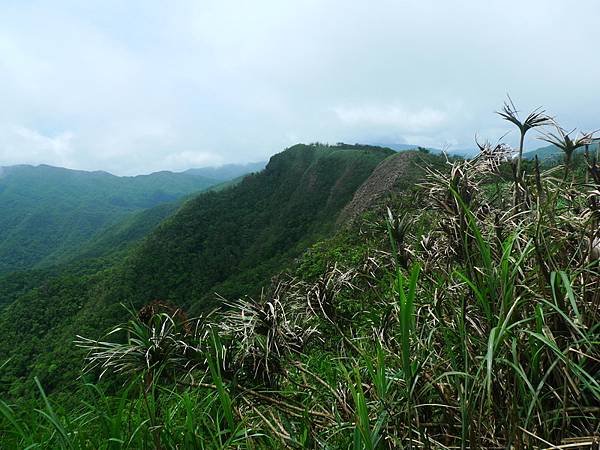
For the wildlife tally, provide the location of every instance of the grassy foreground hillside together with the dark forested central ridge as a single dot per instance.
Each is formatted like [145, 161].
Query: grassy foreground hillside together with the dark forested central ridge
[453, 304]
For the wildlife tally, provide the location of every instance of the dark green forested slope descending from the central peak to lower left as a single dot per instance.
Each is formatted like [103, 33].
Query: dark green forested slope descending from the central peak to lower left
[231, 242]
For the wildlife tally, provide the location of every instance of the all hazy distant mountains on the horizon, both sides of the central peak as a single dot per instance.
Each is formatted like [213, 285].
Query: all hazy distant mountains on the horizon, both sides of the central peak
[49, 215]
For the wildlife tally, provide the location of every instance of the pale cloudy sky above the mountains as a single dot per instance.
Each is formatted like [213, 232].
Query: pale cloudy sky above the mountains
[134, 87]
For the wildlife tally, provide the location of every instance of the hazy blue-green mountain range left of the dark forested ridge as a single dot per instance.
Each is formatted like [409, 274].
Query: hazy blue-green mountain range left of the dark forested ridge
[48, 212]
